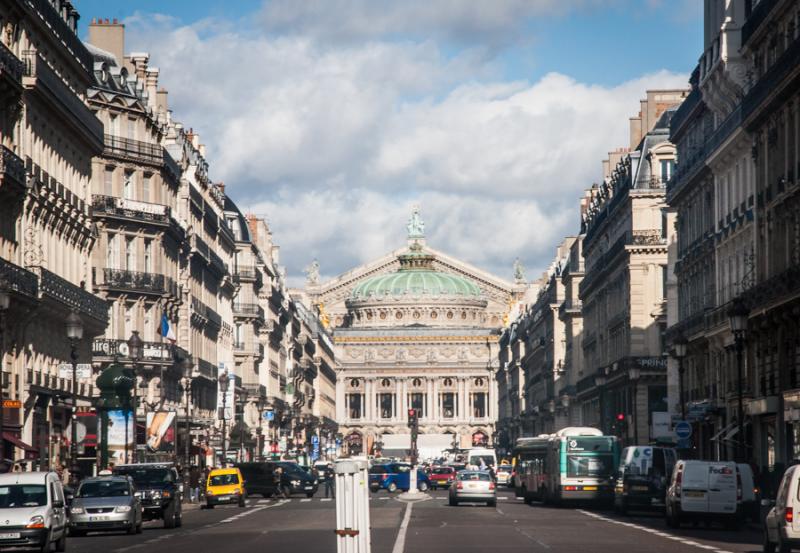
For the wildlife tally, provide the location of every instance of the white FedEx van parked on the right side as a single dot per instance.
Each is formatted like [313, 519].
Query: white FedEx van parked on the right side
[704, 490]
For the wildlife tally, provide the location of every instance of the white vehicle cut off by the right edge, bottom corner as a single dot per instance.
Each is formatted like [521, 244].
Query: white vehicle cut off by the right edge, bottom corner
[782, 527]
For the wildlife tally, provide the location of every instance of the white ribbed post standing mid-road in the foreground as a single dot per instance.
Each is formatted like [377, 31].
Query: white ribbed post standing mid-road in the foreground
[352, 507]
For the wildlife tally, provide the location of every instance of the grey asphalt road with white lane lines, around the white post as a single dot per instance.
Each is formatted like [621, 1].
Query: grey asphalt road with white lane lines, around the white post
[306, 526]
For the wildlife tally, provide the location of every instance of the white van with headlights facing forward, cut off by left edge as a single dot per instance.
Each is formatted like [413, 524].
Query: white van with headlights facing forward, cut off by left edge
[32, 510]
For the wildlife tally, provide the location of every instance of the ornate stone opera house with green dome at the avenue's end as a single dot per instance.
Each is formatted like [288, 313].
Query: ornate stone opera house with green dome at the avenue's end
[423, 338]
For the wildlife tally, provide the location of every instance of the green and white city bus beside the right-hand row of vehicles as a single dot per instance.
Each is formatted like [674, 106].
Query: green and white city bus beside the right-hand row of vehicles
[575, 464]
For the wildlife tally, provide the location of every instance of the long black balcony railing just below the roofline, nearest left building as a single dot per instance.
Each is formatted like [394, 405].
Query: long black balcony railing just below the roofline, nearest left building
[50, 84]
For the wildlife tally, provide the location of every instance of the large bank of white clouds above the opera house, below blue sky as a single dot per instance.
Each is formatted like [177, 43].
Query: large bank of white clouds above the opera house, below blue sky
[335, 142]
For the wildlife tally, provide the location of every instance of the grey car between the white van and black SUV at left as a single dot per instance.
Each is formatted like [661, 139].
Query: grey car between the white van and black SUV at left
[105, 503]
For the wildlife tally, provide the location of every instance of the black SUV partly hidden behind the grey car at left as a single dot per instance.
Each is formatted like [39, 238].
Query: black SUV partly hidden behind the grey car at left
[159, 488]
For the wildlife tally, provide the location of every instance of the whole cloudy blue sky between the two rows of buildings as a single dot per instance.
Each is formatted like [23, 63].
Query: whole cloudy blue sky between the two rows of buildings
[331, 118]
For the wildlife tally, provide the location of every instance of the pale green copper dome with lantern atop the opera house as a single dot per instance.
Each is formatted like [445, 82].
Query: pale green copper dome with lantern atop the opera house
[416, 277]
